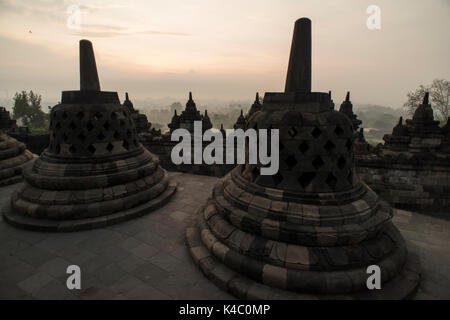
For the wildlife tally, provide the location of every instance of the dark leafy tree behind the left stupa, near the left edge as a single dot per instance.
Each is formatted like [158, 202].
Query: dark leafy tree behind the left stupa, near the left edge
[27, 109]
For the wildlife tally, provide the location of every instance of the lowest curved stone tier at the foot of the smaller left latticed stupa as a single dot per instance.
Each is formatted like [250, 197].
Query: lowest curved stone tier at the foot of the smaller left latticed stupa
[25, 222]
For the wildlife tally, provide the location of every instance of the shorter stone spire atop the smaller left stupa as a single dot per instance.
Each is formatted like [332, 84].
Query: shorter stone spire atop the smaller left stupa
[88, 69]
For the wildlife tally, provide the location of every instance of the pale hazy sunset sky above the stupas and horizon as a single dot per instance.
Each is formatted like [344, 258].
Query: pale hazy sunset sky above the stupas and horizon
[224, 49]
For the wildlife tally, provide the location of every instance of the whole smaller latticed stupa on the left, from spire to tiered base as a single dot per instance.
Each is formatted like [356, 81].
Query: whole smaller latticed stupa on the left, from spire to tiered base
[94, 172]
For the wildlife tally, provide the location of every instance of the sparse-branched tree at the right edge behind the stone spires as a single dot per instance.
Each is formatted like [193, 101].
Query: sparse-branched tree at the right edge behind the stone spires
[439, 95]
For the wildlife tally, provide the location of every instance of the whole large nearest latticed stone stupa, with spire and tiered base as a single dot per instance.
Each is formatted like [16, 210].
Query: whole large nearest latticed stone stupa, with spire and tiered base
[312, 229]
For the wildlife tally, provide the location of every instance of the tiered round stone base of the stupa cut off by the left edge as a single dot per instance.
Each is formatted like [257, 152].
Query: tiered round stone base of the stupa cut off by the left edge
[13, 157]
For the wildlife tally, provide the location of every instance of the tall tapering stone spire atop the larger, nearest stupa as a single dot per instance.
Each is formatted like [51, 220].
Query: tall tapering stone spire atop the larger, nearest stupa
[298, 77]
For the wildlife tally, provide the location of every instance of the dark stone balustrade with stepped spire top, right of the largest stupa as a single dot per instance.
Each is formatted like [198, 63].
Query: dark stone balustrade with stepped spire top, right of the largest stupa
[412, 169]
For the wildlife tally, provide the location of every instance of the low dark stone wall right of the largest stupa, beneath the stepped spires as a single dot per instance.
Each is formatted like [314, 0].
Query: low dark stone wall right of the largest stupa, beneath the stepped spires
[408, 187]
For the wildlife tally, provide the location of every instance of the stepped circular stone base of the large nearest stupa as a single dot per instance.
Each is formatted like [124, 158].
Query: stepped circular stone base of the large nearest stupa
[260, 247]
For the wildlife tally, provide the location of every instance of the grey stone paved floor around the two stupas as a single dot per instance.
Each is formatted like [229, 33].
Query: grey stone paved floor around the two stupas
[146, 258]
